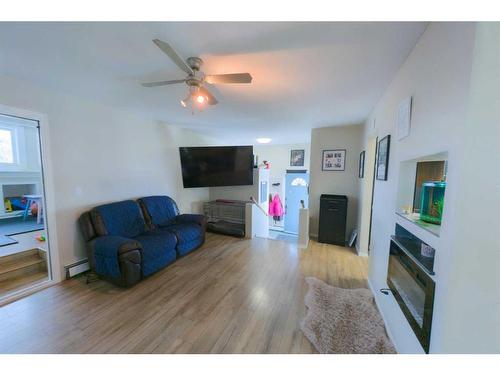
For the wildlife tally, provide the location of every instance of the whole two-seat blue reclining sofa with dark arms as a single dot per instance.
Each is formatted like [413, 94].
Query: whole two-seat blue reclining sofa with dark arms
[130, 240]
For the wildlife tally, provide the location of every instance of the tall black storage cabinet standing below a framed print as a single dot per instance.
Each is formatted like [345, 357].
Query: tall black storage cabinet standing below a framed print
[332, 219]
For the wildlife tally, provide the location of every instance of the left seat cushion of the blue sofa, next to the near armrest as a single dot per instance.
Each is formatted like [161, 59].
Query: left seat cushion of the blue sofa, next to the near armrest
[158, 250]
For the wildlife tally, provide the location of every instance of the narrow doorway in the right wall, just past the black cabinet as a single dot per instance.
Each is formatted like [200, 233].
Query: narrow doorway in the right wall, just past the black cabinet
[368, 186]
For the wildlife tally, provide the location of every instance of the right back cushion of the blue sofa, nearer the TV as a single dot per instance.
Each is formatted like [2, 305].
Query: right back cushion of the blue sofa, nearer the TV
[159, 210]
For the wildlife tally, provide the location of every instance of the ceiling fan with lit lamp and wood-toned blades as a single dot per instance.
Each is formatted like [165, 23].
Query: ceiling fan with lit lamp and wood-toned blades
[196, 81]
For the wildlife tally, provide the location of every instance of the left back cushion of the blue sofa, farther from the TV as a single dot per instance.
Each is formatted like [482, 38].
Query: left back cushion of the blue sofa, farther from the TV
[119, 219]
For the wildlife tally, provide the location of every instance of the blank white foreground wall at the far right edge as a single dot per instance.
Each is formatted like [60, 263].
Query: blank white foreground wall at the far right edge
[470, 317]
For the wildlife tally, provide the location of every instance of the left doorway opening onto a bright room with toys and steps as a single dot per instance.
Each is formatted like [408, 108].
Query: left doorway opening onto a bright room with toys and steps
[24, 249]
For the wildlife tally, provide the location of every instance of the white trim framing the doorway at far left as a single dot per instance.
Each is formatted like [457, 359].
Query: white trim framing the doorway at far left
[54, 257]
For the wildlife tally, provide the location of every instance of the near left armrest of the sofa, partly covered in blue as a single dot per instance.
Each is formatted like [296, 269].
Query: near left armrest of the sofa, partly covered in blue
[116, 258]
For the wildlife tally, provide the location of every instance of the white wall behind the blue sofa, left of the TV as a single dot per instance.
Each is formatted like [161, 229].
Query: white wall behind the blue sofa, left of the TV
[100, 155]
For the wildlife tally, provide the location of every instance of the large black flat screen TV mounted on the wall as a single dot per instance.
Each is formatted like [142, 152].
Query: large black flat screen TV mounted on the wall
[216, 166]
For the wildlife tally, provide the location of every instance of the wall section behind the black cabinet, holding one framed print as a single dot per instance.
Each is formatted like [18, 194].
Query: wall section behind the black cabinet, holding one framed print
[345, 182]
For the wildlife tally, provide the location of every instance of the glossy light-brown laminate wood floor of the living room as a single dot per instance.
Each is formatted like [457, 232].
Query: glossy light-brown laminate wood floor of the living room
[230, 296]
